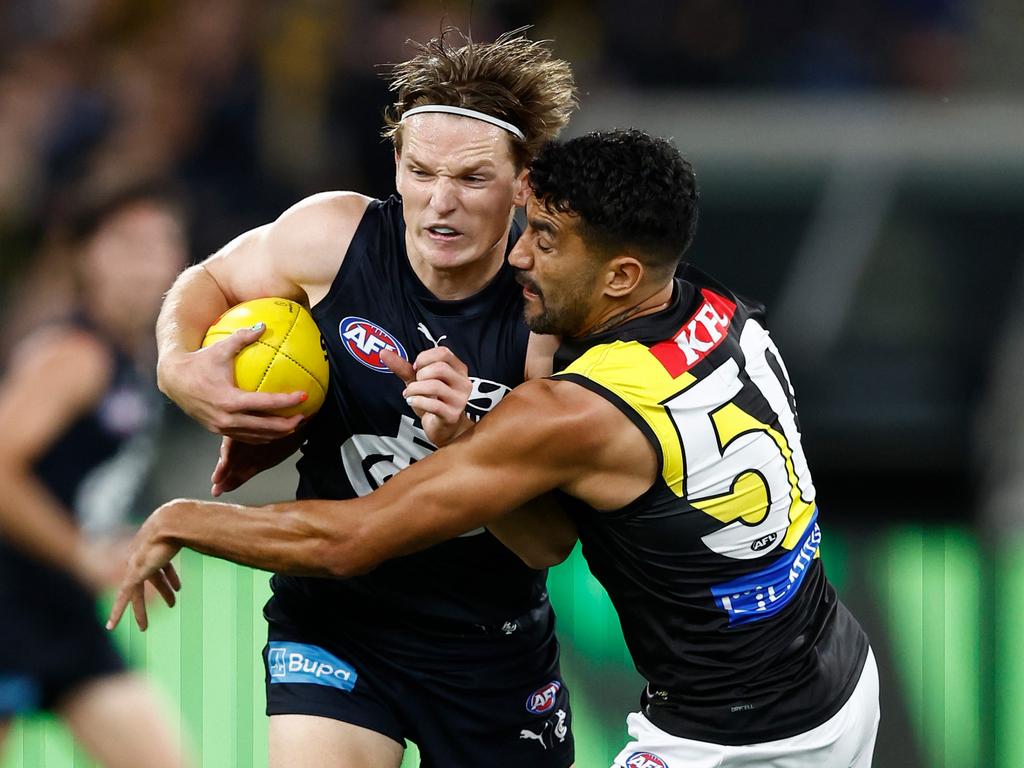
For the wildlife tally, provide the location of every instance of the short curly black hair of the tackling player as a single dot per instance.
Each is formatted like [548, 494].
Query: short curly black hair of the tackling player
[631, 191]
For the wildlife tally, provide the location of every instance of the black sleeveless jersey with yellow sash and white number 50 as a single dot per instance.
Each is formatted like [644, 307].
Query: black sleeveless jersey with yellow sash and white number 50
[715, 570]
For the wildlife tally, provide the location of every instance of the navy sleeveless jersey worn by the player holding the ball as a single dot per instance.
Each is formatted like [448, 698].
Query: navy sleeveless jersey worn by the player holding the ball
[366, 433]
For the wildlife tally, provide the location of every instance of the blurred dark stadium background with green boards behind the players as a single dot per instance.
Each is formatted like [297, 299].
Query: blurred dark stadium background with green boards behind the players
[862, 164]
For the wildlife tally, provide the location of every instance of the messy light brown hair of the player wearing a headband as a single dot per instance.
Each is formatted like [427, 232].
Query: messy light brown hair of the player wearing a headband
[514, 79]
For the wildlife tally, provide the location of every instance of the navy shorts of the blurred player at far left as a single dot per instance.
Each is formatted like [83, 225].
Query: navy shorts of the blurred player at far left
[54, 641]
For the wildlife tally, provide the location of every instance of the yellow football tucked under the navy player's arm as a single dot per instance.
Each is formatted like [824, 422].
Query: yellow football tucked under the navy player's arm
[288, 358]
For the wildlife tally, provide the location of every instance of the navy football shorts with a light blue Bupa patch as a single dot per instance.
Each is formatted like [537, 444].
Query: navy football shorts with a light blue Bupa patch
[485, 698]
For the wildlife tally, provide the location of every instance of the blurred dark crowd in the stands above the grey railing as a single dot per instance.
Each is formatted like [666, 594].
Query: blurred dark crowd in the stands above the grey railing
[251, 104]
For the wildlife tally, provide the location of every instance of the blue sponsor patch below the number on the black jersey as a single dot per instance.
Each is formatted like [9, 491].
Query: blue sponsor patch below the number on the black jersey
[763, 594]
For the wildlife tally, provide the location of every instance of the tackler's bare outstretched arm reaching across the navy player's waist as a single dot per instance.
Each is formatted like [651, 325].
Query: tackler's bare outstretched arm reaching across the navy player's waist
[509, 458]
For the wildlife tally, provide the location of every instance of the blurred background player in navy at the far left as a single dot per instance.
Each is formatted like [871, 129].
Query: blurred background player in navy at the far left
[78, 412]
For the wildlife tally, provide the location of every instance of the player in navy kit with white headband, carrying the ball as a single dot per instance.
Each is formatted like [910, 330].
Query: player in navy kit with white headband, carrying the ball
[453, 649]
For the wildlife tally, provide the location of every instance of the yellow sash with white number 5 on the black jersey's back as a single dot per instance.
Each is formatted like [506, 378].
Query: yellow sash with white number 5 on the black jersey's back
[736, 466]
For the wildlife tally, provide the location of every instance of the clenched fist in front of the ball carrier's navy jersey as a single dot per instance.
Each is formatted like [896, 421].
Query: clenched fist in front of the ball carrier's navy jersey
[438, 389]
